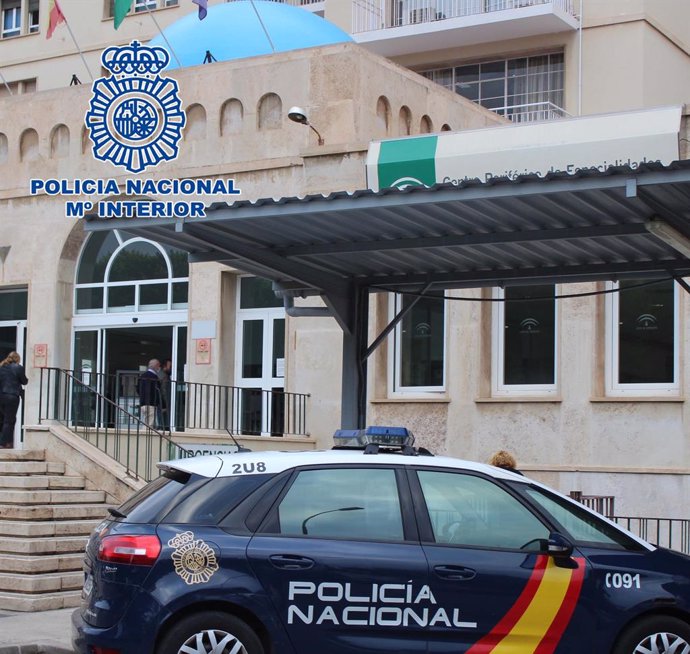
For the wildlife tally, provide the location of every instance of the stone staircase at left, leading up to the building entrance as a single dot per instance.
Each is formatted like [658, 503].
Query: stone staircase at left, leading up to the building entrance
[46, 517]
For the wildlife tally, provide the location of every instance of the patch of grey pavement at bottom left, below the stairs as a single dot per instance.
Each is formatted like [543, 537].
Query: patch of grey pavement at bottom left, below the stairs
[43, 632]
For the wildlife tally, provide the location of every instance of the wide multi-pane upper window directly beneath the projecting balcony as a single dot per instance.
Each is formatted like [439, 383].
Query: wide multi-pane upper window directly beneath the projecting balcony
[522, 89]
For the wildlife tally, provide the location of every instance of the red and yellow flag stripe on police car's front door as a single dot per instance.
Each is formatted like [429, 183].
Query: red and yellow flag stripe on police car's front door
[540, 615]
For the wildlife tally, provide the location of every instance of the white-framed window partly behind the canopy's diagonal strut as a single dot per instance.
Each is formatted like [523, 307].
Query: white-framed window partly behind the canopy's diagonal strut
[418, 344]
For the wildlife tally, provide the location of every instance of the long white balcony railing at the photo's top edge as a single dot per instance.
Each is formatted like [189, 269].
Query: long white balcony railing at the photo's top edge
[369, 15]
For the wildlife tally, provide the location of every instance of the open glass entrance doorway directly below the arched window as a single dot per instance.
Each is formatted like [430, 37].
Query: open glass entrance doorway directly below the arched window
[109, 362]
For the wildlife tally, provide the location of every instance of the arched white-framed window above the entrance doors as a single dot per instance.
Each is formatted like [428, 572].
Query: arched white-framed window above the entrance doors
[119, 272]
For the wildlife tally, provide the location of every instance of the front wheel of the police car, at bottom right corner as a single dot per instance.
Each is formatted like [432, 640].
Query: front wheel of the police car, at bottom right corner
[657, 635]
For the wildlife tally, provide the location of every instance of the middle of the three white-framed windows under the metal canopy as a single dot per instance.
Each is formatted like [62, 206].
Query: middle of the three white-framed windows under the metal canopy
[524, 352]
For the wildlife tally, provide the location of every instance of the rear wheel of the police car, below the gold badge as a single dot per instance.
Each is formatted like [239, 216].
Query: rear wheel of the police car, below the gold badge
[205, 632]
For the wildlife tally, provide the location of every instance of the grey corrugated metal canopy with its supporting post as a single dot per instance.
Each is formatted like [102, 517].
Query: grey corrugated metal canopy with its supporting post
[557, 229]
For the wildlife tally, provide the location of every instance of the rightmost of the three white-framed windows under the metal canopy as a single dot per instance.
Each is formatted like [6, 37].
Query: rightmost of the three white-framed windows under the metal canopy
[642, 338]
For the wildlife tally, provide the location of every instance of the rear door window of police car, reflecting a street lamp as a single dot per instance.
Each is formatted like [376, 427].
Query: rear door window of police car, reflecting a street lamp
[352, 503]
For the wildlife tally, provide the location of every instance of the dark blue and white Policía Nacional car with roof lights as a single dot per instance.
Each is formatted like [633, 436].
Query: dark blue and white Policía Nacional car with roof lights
[373, 546]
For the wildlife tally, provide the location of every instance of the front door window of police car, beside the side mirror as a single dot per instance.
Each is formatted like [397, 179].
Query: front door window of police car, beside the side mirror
[472, 511]
